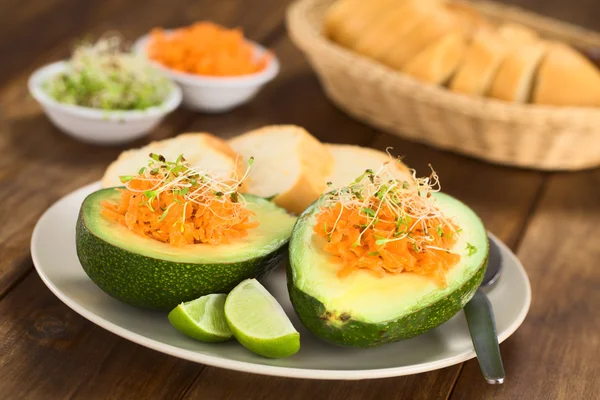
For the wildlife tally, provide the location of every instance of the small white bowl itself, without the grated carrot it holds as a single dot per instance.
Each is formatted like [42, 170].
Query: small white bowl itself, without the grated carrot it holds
[216, 94]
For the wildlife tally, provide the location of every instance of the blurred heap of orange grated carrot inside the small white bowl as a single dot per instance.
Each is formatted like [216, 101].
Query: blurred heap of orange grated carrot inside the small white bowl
[205, 48]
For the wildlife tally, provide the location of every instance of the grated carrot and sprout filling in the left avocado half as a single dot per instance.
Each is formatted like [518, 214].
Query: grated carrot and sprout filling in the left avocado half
[173, 203]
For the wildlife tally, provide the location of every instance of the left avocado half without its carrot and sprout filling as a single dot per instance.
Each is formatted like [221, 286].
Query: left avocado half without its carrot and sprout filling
[150, 274]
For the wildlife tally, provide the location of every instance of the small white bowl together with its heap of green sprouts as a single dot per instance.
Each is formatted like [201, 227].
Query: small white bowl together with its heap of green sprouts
[104, 94]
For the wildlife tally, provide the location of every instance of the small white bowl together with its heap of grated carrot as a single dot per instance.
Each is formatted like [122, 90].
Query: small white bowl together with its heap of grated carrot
[217, 68]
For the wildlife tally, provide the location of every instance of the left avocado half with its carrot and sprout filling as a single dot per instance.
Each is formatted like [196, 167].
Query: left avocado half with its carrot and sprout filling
[173, 233]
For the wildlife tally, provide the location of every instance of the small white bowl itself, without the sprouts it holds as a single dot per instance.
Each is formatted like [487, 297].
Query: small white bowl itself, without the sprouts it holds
[96, 126]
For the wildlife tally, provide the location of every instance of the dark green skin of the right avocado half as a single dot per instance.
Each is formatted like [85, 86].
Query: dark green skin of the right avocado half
[343, 329]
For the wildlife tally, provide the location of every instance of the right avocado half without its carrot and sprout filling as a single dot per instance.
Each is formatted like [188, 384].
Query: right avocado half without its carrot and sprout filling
[363, 310]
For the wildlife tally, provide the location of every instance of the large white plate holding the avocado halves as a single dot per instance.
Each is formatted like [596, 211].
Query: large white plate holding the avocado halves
[55, 258]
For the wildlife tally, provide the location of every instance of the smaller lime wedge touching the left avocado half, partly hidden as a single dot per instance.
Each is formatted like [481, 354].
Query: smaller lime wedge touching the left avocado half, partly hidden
[202, 319]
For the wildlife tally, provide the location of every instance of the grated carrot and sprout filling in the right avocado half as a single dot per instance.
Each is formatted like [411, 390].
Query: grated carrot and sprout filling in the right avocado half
[386, 226]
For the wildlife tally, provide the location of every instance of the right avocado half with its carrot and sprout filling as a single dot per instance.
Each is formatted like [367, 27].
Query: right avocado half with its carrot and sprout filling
[382, 260]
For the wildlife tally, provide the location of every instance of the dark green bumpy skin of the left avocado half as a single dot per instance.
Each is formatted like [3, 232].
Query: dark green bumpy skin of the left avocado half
[155, 284]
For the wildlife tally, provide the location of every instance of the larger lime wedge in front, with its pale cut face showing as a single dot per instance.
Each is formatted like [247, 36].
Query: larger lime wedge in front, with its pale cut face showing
[259, 323]
